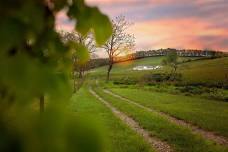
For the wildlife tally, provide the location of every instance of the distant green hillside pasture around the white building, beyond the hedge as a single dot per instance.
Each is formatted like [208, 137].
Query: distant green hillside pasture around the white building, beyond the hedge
[206, 71]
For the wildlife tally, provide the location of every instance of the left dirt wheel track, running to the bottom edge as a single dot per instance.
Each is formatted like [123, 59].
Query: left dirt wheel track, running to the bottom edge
[157, 144]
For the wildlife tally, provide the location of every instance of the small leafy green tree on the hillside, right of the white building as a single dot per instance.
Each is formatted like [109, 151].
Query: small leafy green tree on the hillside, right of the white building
[172, 61]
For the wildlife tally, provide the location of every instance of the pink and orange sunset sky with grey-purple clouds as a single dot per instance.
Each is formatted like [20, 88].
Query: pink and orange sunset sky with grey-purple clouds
[191, 24]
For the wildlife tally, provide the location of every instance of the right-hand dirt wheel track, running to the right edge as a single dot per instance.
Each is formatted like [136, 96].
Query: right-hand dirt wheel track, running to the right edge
[195, 129]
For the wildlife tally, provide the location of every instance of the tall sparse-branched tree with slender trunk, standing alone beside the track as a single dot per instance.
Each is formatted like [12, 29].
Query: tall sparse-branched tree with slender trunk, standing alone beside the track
[120, 42]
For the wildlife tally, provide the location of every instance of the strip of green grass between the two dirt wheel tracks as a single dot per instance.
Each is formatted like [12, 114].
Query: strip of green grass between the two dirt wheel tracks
[181, 139]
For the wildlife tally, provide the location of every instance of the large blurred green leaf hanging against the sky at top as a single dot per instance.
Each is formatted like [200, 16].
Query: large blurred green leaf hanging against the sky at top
[91, 18]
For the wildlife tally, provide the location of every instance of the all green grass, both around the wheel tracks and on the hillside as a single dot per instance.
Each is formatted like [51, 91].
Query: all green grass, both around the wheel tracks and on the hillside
[208, 114]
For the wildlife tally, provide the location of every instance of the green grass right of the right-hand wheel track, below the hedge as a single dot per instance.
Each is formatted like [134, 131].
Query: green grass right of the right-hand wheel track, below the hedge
[208, 114]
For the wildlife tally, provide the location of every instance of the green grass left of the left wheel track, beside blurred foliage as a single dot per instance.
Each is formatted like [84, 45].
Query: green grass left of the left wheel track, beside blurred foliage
[118, 136]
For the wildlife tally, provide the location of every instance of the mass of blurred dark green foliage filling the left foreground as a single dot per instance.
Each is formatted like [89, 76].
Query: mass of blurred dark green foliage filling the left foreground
[35, 63]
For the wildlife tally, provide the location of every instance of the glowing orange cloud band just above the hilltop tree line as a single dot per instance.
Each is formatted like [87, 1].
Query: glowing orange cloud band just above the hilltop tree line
[179, 33]
